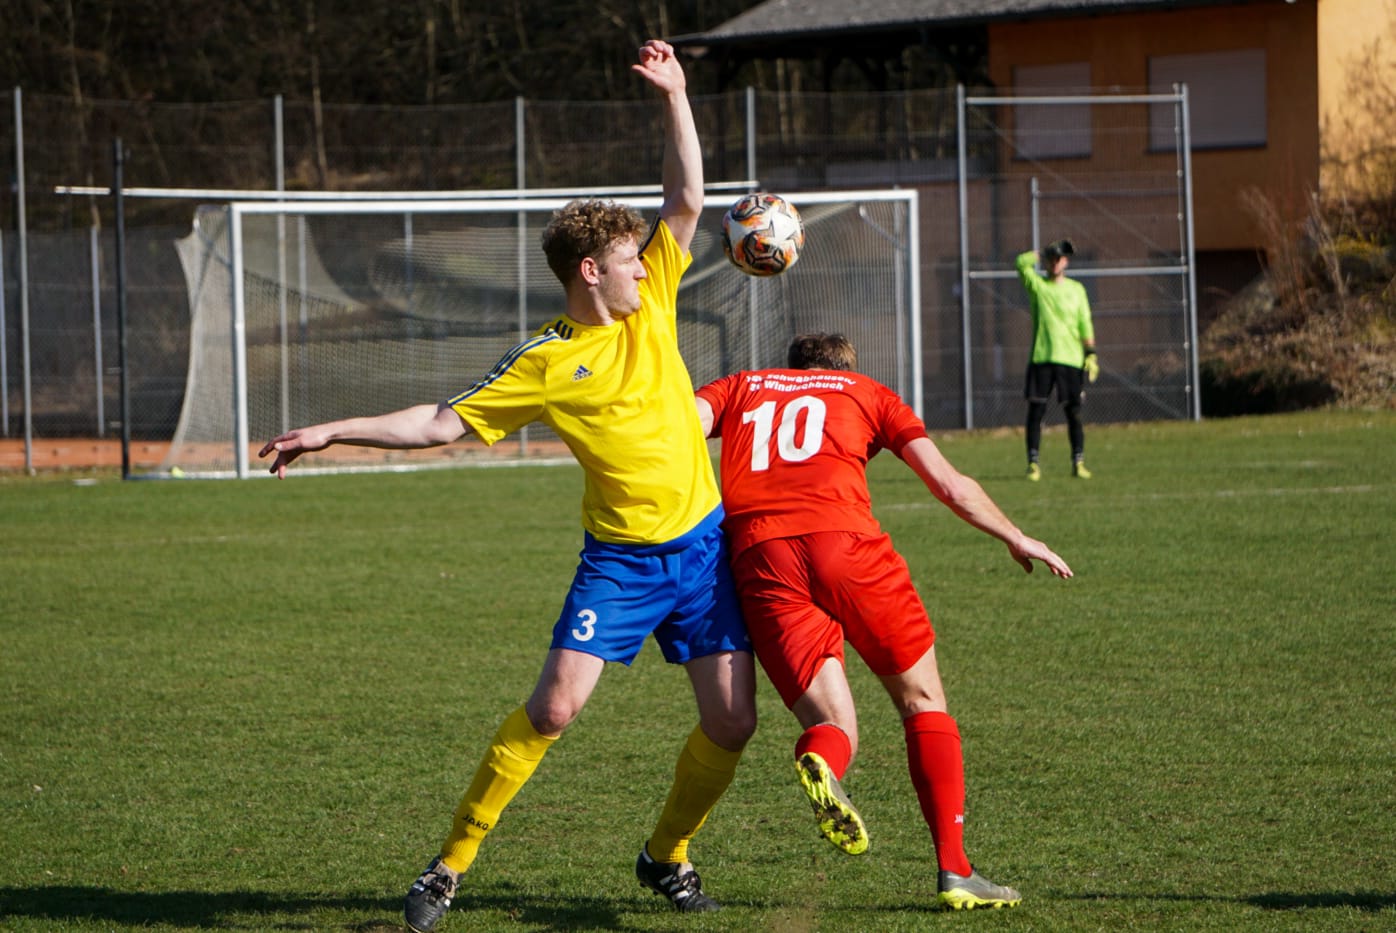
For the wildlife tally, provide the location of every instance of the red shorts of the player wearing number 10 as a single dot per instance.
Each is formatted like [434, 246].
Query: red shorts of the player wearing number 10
[805, 597]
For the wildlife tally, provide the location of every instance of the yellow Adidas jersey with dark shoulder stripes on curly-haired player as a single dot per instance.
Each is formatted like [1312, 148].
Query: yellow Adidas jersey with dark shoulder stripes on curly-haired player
[622, 399]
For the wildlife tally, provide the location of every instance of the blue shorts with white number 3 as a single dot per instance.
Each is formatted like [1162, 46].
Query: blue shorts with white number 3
[682, 592]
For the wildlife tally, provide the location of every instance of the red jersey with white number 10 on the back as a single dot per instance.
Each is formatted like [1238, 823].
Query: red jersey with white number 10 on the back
[795, 450]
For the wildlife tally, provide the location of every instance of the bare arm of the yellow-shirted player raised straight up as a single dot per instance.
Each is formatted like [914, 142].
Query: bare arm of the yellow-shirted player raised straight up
[683, 156]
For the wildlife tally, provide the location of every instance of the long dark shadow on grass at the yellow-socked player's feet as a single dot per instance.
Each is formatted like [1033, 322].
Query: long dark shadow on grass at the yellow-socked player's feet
[258, 910]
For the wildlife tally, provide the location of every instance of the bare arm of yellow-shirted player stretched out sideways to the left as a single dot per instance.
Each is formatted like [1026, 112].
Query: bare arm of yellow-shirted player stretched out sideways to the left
[411, 428]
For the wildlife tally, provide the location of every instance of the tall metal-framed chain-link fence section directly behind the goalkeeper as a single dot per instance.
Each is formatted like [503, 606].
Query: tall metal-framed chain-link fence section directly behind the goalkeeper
[1071, 167]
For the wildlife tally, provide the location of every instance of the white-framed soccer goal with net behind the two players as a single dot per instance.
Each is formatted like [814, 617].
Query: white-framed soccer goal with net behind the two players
[312, 311]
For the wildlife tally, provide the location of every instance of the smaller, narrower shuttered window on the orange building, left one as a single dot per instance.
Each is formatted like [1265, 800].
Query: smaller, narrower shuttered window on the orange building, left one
[1052, 131]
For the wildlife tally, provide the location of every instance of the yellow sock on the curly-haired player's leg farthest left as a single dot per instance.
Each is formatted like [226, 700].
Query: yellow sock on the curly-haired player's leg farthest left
[507, 766]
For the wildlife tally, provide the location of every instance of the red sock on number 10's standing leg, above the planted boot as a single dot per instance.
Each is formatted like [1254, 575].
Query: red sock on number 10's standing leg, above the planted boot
[933, 754]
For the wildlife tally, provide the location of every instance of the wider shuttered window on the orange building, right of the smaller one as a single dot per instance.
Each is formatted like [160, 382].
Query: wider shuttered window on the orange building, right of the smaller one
[1226, 98]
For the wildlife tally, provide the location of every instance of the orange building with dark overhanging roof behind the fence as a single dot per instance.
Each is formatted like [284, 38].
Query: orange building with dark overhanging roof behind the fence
[1274, 86]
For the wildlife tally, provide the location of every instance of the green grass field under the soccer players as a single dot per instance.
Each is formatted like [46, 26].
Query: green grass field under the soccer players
[255, 706]
